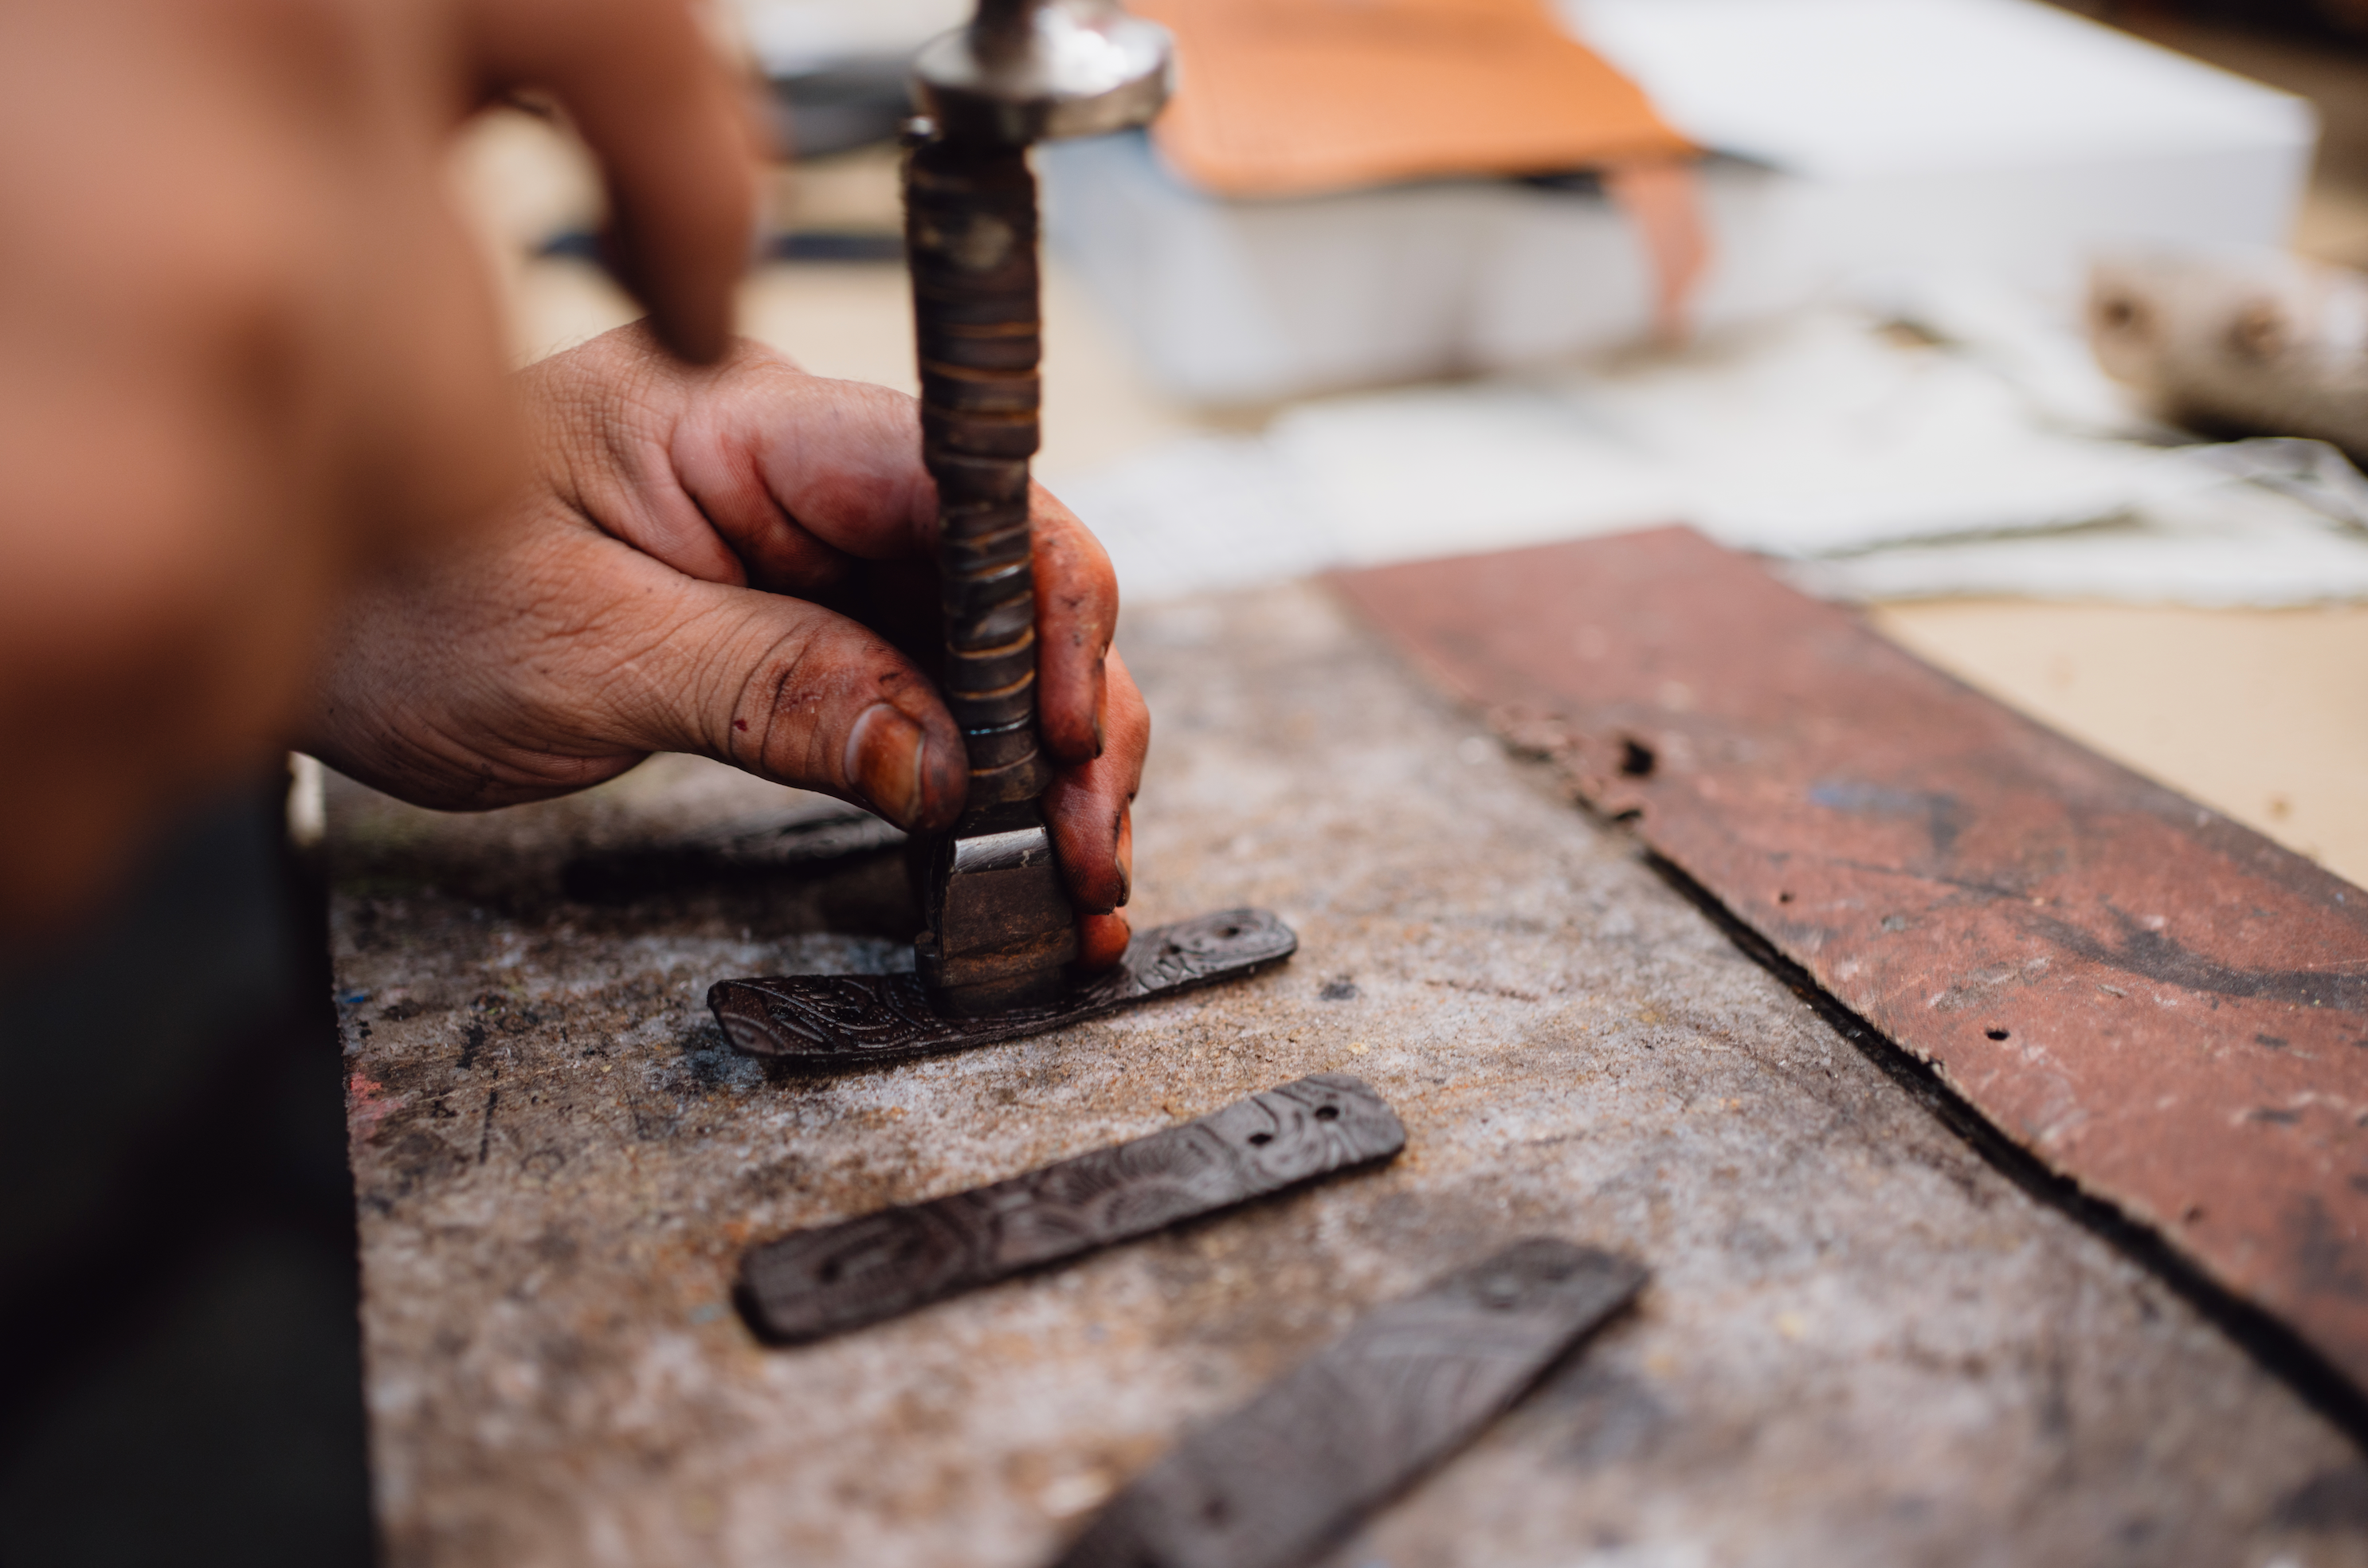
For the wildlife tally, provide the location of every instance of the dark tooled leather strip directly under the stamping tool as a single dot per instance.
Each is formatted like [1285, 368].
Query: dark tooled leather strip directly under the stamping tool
[851, 1020]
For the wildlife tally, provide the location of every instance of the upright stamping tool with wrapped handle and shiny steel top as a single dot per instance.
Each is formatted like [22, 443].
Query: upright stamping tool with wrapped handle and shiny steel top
[1000, 925]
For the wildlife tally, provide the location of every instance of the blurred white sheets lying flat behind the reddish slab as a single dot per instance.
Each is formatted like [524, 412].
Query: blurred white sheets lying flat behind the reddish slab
[1886, 463]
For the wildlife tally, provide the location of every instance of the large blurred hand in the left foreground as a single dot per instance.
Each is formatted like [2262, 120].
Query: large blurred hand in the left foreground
[247, 352]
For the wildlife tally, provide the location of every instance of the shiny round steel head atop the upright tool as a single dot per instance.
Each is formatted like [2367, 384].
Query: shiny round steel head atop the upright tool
[1043, 70]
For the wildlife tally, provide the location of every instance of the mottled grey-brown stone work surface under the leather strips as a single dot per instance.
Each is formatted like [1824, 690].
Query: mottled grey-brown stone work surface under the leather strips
[1860, 1344]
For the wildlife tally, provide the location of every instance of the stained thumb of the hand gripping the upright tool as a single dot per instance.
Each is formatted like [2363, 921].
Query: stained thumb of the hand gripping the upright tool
[797, 695]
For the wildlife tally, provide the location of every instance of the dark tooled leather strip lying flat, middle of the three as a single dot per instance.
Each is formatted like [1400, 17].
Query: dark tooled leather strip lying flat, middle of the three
[839, 1278]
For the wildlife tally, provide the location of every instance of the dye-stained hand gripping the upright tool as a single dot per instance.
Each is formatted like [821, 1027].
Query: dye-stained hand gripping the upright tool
[726, 563]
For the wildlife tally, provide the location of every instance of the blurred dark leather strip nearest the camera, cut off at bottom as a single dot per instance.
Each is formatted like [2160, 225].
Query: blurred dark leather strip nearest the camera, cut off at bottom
[1294, 1470]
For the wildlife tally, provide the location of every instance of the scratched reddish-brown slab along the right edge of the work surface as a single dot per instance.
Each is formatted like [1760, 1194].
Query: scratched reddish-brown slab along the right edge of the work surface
[2158, 1003]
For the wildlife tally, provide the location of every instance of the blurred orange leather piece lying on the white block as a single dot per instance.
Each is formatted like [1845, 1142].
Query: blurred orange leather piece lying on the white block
[1285, 98]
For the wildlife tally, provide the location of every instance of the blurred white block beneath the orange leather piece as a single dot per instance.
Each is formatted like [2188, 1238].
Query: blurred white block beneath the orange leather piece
[1862, 139]
